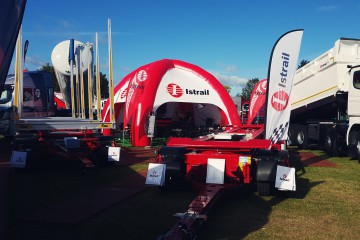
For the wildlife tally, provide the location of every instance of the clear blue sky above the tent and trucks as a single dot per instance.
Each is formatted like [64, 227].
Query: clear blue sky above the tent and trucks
[232, 39]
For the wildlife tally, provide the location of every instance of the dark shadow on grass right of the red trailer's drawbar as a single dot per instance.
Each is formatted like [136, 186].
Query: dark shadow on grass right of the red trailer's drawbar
[239, 214]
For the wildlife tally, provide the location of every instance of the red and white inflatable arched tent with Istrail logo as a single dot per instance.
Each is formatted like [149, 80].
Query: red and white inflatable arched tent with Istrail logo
[175, 84]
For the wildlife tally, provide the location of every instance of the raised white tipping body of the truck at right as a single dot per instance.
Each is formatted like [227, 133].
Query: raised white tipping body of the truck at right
[324, 76]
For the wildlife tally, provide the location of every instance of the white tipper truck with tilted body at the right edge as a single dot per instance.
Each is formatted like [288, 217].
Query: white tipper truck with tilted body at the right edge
[325, 103]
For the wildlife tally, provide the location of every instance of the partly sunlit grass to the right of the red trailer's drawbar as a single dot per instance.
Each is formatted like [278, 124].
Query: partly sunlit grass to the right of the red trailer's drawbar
[325, 206]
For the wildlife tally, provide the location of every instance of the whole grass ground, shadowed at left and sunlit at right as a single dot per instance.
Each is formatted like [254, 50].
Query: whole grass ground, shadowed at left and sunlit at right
[325, 206]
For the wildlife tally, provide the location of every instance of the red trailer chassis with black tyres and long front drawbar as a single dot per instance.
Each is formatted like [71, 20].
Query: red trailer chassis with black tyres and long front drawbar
[247, 161]
